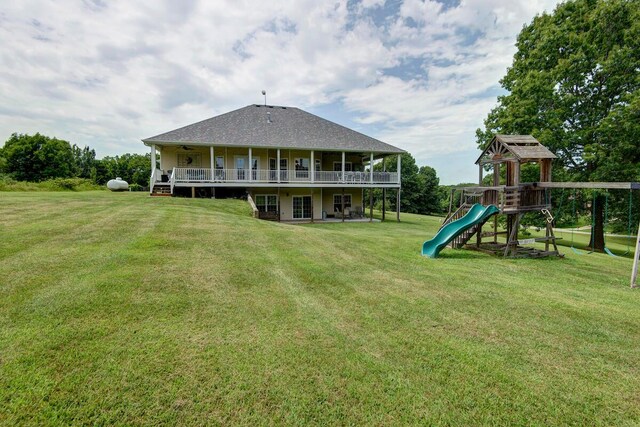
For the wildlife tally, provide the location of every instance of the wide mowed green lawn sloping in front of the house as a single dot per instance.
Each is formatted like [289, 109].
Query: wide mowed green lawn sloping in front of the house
[119, 308]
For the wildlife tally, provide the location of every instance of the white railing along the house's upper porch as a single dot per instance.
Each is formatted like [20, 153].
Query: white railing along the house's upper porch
[203, 175]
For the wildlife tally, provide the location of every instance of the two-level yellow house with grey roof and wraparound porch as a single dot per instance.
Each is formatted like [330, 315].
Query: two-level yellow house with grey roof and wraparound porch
[292, 164]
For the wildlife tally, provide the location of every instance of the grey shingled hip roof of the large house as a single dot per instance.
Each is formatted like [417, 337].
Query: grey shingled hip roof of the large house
[273, 127]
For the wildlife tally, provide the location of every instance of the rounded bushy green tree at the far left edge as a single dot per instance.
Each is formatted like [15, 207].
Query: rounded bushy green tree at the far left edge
[37, 157]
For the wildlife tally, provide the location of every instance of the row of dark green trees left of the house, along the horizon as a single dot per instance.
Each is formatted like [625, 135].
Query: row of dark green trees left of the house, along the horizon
[36, 158]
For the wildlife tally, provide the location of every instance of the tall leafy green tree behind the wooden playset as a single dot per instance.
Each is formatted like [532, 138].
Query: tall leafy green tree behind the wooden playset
[573, 85]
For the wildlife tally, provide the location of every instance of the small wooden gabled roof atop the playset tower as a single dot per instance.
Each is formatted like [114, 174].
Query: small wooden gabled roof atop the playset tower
[523, 148]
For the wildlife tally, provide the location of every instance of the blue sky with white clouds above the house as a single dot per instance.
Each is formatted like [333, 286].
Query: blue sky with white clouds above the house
[421, 75]
